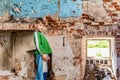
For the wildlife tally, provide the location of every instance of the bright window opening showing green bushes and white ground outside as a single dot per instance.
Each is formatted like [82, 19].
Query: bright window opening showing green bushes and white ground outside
[98, 48]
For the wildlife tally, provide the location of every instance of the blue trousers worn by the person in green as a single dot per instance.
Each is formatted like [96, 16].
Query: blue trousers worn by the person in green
[39, 74]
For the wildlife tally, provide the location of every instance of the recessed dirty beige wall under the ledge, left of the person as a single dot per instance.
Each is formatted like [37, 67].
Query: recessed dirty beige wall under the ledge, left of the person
[15, 55]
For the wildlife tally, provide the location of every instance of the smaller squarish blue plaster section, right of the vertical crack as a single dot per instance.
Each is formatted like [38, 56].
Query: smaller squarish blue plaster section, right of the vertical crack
[70, 8]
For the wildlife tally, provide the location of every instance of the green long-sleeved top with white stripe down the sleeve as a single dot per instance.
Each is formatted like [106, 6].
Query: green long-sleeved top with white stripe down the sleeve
[41, 44]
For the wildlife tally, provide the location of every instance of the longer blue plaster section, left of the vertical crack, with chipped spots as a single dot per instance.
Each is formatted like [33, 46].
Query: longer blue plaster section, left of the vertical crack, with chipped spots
[36, 8]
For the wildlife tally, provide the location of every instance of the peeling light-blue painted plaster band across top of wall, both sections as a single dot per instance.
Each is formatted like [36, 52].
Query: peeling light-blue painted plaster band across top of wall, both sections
[41, 8]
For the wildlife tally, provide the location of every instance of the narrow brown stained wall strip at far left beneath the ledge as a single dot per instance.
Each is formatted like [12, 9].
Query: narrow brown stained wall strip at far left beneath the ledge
[5, 51]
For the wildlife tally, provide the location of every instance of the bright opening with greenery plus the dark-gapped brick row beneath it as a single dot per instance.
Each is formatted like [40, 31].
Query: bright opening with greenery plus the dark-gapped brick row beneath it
[98, 50]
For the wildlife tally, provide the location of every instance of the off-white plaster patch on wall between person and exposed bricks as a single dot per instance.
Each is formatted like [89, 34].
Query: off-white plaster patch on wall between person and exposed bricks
[63, 62]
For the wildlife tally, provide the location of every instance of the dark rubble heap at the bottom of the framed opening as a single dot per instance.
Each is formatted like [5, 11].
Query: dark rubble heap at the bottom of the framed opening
[94, 72]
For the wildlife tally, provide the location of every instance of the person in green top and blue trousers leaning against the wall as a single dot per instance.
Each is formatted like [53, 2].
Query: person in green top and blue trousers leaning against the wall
[43, 49]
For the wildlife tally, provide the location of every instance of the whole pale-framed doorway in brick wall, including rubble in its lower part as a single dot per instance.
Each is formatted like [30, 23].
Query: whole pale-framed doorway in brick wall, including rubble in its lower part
[101, 59]
